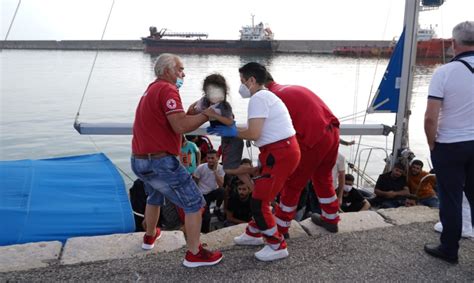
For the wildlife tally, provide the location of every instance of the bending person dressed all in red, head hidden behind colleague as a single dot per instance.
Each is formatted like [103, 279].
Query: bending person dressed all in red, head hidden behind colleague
[317, 132]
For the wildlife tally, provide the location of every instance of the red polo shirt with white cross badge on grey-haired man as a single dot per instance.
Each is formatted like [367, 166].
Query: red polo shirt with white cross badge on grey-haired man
[152, 132]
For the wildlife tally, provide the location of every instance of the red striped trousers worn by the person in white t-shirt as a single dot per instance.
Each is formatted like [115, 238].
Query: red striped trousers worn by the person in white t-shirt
[278, 161]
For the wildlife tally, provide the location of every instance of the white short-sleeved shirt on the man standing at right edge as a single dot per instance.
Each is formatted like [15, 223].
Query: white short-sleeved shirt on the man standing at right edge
[453, 83]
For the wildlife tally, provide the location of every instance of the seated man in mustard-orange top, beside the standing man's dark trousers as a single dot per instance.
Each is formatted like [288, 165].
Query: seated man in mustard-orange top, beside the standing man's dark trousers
[424, 191]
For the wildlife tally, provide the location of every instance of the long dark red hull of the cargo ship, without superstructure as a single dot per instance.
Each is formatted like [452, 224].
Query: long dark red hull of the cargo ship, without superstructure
[157, 46]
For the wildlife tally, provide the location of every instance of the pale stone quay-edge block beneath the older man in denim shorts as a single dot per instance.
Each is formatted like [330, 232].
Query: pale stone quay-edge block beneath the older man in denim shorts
[89, 249]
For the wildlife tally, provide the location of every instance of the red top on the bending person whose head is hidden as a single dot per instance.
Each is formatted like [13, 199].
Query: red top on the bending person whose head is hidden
[310, 115]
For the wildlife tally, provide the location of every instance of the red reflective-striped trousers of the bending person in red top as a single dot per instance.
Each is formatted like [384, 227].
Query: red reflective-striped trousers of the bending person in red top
[316, 163]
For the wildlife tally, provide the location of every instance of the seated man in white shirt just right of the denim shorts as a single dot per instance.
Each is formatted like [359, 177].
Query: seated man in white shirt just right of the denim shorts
[209, 177]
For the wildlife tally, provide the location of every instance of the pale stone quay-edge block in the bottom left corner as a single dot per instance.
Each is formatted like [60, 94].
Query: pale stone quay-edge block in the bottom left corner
[29, 256]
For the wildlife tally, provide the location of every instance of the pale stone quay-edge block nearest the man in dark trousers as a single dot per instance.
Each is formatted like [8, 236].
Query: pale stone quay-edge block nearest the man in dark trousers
[407, 215]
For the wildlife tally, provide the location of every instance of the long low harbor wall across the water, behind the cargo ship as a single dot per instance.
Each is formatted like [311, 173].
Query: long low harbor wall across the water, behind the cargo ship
[278, 46]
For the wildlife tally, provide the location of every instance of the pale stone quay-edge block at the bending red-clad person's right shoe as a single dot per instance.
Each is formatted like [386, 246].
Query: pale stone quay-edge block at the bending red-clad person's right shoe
[350, 222]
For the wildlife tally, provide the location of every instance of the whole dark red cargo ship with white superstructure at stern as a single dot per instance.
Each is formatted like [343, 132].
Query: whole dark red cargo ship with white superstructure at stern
[253, 39]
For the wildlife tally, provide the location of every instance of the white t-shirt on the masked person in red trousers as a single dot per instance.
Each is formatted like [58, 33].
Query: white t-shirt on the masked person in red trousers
[277, 125]
